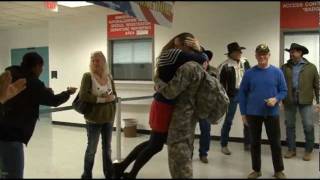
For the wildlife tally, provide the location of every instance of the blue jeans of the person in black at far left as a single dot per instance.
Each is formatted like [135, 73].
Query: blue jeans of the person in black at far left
[11, 160]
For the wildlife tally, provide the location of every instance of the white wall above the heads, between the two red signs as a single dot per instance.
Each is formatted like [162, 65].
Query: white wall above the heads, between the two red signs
[218, 23]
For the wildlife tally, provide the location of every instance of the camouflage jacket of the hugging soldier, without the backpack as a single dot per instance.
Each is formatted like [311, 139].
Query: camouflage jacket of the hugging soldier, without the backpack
[183, 86]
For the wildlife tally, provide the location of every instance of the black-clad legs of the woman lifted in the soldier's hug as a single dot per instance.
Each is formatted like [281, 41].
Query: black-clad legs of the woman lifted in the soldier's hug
[144, 152]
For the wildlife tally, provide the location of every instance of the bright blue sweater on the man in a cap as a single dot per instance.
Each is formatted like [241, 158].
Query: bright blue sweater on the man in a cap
[259, 84]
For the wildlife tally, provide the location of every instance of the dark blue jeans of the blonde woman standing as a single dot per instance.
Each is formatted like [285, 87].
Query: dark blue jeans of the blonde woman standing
[93, 133]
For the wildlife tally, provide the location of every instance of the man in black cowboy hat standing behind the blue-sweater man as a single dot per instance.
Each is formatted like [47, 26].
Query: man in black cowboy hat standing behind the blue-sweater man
[230, 74]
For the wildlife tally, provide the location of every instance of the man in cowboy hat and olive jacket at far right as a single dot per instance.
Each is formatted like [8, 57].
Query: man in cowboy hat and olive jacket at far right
[302, 79]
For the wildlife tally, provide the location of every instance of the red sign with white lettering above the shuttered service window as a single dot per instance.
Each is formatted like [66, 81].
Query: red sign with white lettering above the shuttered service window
[122, 25]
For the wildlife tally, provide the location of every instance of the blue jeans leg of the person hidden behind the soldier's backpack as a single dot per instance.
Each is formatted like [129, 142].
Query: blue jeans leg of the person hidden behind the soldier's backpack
[205, 128]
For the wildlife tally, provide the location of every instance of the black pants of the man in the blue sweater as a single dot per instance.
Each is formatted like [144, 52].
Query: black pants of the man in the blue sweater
[272, 126]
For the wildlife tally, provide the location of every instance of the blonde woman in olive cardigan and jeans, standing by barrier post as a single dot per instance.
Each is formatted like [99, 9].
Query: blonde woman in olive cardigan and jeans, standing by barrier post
[97, 88]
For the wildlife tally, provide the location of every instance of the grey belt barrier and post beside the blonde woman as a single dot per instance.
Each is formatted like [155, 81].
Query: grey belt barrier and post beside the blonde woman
[118, 121]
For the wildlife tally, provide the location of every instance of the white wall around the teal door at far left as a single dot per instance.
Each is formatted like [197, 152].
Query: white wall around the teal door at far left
[20, 38]
